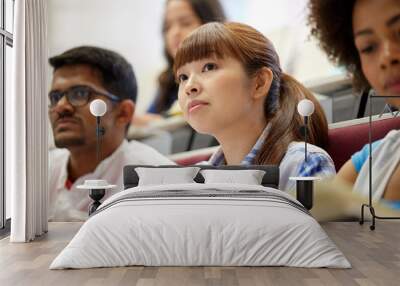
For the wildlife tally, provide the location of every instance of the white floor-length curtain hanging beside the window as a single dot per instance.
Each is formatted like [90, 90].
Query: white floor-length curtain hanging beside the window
[26, 123]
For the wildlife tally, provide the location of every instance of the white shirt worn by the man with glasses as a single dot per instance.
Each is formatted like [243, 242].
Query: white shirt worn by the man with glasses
[72, 204]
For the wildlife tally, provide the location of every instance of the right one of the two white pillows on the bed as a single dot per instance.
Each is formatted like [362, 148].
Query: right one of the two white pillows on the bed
[248, 177]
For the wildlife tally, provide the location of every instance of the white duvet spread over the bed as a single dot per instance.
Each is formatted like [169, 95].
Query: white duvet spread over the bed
[235, 228]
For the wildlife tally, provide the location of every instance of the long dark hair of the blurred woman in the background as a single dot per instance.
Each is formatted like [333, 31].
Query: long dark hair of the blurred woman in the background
[207, 11]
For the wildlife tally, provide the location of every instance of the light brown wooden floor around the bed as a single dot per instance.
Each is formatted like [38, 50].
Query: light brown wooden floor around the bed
[374, 255]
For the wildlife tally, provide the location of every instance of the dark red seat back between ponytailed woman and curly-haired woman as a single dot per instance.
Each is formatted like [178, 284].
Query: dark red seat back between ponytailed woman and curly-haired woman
[346, 140]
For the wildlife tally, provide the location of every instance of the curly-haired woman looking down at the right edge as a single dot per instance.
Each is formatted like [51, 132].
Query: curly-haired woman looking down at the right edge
[363, 36]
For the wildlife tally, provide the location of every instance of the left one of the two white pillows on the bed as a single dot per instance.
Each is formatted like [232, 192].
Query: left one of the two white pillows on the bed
[162, 176]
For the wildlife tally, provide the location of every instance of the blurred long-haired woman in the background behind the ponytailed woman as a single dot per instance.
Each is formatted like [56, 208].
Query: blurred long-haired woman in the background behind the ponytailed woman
[181, 18]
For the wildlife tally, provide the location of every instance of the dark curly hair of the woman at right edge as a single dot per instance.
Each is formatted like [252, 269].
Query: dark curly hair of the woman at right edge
[331, 23]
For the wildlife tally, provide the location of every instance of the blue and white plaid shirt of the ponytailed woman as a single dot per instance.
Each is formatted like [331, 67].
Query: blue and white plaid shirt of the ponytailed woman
[293, 164]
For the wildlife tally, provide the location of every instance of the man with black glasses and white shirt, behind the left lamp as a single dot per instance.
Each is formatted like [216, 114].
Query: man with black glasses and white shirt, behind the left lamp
[81, 75]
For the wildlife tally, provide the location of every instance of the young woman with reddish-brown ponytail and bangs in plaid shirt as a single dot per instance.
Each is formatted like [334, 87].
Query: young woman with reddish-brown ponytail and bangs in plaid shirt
[231, 86]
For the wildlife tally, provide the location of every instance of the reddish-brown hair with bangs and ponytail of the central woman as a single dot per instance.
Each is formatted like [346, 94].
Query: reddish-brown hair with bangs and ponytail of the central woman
[255, 52]
